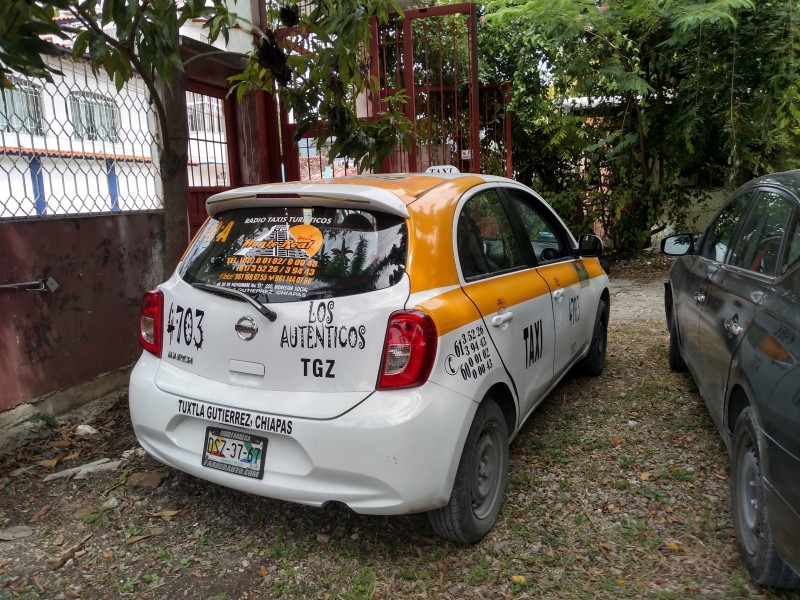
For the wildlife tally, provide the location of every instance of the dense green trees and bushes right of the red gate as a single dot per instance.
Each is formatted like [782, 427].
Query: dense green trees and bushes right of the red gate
[627, 110]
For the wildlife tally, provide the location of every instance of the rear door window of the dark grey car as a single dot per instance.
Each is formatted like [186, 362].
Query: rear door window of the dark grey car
[762, 233]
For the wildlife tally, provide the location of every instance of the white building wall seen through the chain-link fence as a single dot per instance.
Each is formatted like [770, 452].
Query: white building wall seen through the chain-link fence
[74, 173]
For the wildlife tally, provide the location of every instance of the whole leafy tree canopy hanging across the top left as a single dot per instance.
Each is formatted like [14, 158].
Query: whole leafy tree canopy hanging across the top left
[316, 57]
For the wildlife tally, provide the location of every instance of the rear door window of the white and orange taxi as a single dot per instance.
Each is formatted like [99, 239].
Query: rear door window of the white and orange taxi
[484, 237]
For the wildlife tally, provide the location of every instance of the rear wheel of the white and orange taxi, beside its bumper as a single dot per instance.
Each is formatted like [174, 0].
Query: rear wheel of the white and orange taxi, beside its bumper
[480, 480]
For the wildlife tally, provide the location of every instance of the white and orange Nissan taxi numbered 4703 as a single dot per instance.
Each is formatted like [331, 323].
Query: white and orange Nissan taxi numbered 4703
[373, 341]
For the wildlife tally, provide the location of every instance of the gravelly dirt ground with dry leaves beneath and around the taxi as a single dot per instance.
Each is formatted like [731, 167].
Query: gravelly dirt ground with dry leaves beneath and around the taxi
[618, 488]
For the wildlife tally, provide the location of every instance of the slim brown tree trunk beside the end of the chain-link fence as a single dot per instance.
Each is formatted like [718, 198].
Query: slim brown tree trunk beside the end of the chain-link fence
[173, 163]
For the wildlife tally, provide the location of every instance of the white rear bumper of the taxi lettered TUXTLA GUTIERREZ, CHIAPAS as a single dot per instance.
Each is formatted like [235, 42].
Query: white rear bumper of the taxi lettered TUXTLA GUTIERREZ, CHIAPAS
[394, 453]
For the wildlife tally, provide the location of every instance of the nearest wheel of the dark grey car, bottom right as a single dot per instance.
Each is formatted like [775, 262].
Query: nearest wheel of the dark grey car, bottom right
[750, 519]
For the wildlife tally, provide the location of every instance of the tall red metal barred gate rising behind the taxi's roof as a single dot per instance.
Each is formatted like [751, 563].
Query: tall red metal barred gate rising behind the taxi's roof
[430, 54]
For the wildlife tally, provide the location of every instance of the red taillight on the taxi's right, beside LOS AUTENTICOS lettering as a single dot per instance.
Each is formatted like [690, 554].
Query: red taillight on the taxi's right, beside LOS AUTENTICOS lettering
[409, 350]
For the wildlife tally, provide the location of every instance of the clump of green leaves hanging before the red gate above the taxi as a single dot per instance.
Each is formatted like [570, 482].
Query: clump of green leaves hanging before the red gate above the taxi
[319, 67]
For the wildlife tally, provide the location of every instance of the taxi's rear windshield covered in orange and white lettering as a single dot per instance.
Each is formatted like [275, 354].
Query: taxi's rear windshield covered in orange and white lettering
[286, 254]
